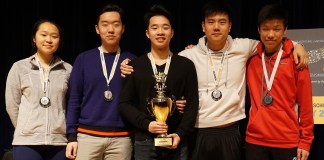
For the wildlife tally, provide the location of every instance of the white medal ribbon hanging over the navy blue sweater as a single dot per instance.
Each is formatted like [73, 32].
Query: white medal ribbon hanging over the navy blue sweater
[103, 65]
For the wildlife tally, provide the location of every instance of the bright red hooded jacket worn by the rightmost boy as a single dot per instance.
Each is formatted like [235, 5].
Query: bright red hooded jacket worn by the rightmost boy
[280, 125]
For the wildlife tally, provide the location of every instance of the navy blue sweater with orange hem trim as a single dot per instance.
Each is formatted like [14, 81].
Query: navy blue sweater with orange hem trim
[86, 106]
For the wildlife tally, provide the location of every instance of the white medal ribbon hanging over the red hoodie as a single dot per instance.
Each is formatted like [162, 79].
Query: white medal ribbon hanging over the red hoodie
[269, 82]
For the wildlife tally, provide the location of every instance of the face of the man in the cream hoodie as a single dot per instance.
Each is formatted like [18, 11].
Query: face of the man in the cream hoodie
[216, 28]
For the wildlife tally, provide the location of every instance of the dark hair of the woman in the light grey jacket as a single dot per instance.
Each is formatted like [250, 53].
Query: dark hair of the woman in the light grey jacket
[36, 28]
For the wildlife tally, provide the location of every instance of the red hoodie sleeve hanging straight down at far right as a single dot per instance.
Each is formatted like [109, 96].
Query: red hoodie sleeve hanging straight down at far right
[305, 109]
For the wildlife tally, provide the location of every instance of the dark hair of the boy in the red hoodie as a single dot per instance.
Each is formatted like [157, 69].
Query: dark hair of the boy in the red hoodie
[273, 11]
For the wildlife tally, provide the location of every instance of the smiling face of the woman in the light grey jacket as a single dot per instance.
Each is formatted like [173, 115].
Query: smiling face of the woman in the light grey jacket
[47, 39]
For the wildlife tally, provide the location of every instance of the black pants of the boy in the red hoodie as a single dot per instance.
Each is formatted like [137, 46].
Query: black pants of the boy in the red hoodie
[256, 152]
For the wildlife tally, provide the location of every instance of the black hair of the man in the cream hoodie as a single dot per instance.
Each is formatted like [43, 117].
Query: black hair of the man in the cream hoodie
[215, 7]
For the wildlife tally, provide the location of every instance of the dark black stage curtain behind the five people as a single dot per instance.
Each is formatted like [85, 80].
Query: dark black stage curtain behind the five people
[77, 18]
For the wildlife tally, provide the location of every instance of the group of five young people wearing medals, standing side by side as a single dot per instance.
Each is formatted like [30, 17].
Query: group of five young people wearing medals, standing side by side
[208, 81]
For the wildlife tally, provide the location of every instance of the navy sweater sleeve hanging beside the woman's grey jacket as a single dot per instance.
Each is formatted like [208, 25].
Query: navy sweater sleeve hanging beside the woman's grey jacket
[75, 99]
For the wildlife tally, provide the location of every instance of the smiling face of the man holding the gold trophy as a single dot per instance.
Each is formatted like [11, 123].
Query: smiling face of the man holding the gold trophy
[159, 32]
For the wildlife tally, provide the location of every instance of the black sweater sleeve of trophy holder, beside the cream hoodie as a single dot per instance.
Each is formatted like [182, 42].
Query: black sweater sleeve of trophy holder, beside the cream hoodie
[189, 116]
